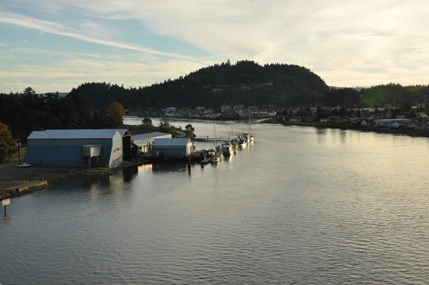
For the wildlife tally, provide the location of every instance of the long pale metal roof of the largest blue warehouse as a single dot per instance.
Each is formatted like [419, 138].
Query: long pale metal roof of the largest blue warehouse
[77, 134]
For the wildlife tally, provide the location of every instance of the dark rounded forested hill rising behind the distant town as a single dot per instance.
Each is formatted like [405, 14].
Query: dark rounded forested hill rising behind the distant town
[245, 83]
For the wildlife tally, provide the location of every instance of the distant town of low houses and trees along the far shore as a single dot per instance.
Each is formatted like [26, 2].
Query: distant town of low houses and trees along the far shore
[391, 118]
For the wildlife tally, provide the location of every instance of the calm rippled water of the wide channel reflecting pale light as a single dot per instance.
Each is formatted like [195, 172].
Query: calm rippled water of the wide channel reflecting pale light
[300, 206]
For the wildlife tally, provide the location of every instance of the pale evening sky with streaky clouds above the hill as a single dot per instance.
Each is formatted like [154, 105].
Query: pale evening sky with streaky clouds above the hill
[56, 45]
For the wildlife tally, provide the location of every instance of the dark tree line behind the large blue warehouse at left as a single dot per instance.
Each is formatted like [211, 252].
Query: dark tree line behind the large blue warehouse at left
[27, 111]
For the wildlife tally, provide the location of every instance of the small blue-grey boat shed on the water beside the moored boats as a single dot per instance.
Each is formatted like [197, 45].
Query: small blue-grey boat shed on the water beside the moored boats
[178, 147]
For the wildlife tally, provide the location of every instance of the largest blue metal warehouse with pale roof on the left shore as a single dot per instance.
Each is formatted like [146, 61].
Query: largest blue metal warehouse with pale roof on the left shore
[105, 147]
